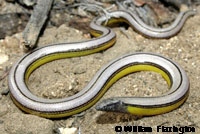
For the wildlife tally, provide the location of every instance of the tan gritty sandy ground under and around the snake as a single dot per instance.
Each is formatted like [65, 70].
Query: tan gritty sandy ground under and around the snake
[65, 77]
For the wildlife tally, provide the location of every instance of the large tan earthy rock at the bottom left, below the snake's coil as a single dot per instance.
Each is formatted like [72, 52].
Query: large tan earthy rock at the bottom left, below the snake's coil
[18, 123]
